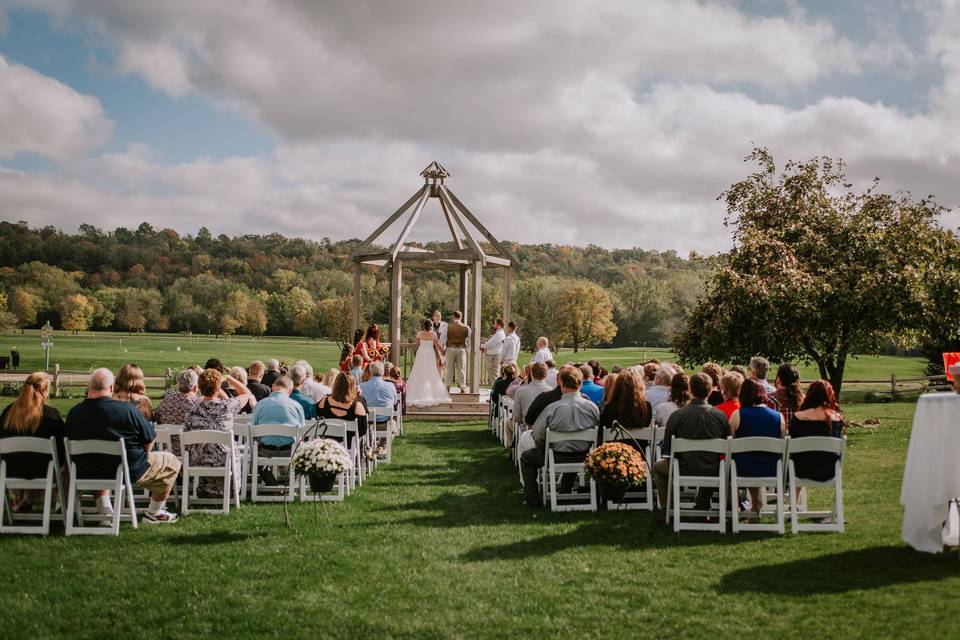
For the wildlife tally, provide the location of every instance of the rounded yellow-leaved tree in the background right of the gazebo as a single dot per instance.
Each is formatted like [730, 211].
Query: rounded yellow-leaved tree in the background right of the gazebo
[585, 315]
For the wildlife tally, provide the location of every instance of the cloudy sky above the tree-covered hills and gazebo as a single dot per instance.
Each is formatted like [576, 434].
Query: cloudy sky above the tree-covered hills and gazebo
[614, 123]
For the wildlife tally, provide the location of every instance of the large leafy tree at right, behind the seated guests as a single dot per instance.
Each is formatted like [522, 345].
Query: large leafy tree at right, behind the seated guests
[817, 272]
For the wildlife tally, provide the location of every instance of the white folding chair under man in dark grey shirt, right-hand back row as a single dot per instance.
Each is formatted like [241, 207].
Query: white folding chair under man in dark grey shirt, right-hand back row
[676, 481]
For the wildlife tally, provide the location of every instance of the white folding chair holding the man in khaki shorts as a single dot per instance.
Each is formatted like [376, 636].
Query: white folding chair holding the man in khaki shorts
[120, 484]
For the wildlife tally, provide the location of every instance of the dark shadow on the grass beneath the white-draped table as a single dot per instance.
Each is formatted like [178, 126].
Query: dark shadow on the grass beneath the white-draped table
[870, 568]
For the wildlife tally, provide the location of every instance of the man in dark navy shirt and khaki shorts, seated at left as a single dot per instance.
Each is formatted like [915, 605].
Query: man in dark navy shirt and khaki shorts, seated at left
[99, 417]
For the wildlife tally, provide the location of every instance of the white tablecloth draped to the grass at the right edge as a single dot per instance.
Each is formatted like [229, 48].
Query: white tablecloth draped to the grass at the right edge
[931, 478]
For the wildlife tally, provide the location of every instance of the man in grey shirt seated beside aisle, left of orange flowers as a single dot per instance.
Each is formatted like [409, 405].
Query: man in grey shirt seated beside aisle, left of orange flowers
[572, 412]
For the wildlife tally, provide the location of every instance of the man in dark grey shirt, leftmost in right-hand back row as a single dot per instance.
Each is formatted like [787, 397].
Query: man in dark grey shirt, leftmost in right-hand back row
[696, 421]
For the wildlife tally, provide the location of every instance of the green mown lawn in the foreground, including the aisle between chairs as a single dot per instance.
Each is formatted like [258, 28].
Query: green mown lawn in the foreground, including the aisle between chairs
[437, 545]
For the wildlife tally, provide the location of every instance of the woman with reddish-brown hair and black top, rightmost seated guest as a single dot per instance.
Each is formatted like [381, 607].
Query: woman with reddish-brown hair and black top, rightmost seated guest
[819, 415]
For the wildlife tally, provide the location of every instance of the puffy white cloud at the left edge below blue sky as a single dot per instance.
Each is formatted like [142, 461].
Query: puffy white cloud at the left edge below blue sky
[40, 115]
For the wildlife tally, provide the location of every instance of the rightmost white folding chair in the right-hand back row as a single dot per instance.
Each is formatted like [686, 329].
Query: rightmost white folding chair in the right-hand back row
[819, 444]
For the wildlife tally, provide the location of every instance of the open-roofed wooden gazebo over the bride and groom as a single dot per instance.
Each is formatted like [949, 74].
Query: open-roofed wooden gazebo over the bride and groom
[468, 257]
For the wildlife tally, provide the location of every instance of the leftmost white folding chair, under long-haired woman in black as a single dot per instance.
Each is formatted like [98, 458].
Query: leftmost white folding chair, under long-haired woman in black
[11, 448]
